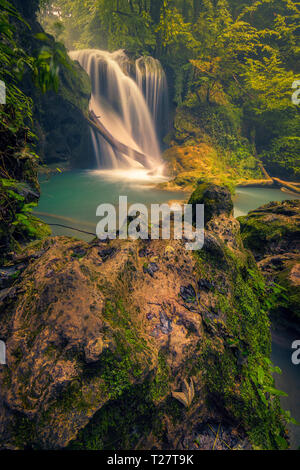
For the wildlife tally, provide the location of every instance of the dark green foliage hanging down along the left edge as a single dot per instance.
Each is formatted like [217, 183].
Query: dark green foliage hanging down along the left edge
[18, 166]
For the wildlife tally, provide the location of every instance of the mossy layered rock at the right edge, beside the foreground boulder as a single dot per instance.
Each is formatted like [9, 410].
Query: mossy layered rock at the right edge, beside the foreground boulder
[272, 233]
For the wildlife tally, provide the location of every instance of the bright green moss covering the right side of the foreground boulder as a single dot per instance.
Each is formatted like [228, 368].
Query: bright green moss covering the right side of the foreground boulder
[231, 370]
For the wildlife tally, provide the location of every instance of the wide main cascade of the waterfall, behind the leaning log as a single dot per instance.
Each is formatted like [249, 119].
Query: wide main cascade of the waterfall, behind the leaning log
[119, 104]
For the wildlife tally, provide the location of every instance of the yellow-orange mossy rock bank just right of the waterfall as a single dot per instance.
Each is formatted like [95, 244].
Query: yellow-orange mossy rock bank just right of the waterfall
[206, 144]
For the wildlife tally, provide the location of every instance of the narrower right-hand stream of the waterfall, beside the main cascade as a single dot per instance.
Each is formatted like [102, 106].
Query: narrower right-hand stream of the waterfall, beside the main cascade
[152, 81]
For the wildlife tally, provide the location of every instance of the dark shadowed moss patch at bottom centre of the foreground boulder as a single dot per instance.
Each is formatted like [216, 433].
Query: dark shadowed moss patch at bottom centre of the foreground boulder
[126, 420]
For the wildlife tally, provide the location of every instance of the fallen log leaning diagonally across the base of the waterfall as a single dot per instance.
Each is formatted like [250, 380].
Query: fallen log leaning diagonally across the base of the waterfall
[116, 144]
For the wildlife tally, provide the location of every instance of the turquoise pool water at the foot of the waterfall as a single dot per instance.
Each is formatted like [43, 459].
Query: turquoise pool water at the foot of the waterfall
[71, 198]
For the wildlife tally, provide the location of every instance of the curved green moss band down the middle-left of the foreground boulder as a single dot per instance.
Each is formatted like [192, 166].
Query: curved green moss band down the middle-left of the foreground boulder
[114, 373]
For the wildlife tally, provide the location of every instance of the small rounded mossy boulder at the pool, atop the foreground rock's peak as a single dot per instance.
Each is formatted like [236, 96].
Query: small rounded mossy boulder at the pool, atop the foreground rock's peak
[217, 200]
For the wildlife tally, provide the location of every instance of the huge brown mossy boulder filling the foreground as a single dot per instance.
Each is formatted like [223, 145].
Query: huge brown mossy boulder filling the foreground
[137, 344]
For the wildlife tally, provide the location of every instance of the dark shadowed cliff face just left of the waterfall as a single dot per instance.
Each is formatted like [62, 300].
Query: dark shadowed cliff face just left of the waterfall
[63, 135]
